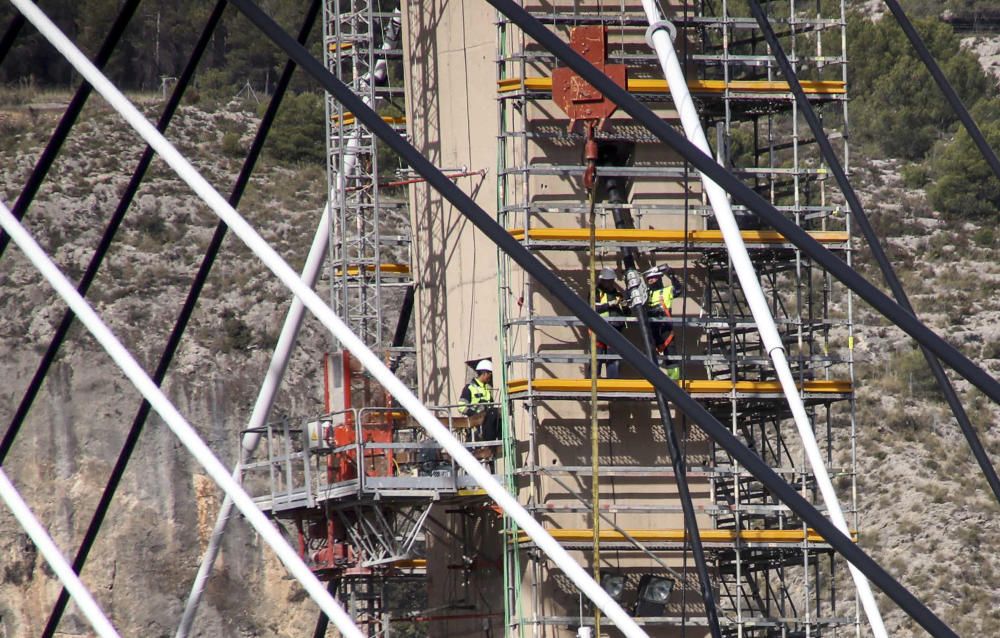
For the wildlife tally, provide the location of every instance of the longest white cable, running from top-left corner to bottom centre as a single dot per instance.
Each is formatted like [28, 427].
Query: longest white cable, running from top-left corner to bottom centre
[337, 327]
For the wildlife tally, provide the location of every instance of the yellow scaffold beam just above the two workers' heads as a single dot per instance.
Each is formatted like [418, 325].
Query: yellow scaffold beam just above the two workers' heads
[669, 236]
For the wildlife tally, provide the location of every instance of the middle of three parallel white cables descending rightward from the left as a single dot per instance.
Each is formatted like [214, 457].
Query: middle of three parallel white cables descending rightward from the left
[174, 420]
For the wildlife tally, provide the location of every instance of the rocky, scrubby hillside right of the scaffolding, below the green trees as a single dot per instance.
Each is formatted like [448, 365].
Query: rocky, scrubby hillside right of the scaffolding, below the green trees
[927, 514]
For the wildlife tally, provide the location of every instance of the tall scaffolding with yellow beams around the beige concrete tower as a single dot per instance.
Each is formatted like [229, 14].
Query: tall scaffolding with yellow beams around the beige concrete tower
[771, 575]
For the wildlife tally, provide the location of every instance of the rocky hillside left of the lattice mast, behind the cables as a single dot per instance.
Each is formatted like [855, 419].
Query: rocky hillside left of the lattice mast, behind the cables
[148, 550]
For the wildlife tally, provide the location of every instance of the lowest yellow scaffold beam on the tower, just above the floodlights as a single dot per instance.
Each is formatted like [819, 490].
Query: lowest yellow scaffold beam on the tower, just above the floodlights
[679, 535]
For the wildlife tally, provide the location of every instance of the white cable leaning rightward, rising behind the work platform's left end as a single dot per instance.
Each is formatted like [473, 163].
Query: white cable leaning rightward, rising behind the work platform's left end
[259, 416]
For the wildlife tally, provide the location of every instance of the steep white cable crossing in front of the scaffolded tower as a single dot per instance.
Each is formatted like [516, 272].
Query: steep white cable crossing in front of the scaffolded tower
[660, 36]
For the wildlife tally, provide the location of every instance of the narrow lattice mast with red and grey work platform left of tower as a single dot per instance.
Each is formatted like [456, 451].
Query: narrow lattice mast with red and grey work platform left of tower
[356, 484]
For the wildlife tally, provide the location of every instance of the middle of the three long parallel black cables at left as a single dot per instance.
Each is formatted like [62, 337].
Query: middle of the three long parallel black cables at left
[108, 236]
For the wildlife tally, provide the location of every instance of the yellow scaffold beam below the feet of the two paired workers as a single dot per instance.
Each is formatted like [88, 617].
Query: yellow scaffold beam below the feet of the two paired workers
[691, 386]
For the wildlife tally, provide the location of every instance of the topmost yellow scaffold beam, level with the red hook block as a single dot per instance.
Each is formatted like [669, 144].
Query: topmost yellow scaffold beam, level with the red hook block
[652, 85]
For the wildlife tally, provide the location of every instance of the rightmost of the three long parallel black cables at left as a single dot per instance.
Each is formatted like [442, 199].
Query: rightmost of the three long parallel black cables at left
[173, 342]
